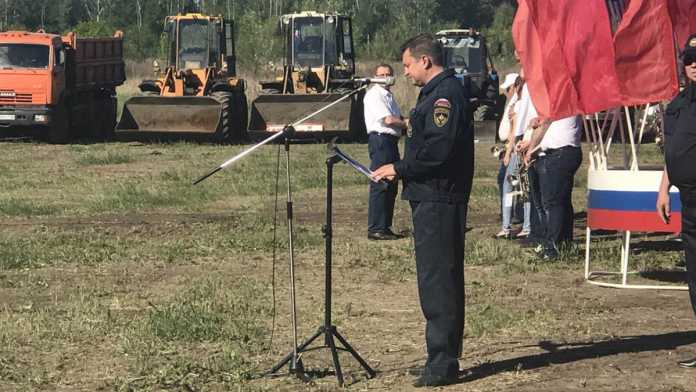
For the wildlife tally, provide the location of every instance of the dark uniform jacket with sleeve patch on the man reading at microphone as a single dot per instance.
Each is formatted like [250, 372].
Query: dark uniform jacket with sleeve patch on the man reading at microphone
[438, 163]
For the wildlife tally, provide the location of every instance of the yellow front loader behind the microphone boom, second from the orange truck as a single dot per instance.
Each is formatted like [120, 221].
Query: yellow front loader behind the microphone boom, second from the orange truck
[319, 65]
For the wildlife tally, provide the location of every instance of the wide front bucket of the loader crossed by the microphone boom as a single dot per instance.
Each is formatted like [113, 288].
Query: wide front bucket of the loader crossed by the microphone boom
[270, 112]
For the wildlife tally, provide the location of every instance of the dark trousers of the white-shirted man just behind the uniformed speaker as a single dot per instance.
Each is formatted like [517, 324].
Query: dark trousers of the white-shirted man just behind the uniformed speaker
[383, 149]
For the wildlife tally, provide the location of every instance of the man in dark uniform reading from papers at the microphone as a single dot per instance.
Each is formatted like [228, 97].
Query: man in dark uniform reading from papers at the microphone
[437, 171]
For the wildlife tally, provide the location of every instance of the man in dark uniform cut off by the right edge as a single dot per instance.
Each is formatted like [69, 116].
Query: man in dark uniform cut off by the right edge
[680, 156]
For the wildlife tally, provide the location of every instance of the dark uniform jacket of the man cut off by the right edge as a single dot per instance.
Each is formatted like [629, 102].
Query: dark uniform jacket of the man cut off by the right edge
[680, 139]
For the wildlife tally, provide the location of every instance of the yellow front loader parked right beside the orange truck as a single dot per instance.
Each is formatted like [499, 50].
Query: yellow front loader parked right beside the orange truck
[198, 91]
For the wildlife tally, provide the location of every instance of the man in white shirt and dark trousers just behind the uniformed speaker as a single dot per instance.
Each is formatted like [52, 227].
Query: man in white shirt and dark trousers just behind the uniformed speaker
[385, 126]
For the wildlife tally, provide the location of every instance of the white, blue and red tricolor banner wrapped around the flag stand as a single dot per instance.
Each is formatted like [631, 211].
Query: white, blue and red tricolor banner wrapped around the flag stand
[625, 200]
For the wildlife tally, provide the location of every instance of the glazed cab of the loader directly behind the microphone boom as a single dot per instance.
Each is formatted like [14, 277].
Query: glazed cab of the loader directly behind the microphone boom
[315, 40]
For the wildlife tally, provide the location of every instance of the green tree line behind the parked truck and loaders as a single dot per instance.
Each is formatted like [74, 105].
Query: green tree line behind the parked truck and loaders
[379, 25]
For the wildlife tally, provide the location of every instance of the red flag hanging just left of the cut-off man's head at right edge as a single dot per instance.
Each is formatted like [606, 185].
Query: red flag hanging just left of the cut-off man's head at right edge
[645, 54]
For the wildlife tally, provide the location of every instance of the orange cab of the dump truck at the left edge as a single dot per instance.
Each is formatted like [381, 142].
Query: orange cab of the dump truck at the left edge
[32, 77]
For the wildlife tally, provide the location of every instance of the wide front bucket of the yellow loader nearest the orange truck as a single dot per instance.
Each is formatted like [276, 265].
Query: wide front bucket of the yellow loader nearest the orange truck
[171, 114]
